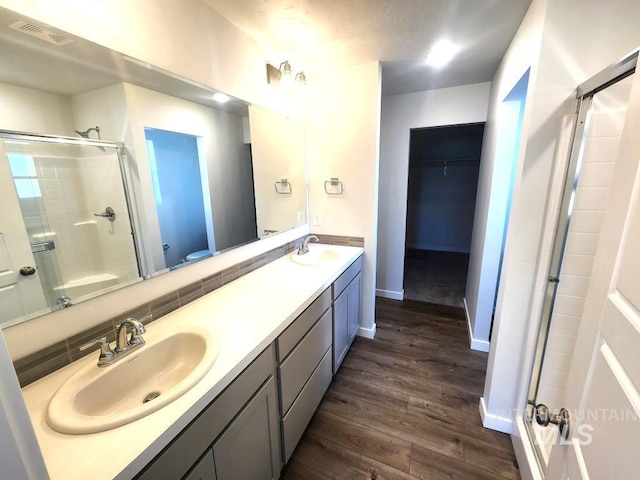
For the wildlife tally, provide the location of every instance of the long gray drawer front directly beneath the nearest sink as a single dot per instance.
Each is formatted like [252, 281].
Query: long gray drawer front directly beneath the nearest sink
[177, 458]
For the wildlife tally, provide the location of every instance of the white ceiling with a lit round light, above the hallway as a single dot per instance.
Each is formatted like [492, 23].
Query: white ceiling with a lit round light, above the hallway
[315, 34]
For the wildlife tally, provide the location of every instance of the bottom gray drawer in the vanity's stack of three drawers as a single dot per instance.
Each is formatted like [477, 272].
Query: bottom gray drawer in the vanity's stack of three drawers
[297, 419]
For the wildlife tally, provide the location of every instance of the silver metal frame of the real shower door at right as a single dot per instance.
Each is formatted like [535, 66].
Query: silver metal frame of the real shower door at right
[584, 96]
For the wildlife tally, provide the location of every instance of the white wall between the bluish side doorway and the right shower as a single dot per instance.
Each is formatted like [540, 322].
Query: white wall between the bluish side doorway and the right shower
[578, 39]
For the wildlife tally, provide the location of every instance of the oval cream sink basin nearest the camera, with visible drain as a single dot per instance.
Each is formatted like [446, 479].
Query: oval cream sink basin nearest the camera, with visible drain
[95, 398]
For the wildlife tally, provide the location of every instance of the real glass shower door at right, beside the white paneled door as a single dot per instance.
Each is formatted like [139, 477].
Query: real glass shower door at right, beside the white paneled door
[588, 179]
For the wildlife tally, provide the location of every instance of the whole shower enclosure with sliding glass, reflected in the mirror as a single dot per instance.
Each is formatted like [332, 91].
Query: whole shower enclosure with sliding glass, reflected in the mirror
[66, 231]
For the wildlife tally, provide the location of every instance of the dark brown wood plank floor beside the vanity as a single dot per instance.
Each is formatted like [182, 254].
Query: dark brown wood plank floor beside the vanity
[405, 406]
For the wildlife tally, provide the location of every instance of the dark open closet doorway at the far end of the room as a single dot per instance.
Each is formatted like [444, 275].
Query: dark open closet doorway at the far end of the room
[444, 163]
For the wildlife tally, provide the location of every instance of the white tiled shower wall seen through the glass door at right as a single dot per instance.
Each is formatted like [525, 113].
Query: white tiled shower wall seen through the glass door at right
[592, 195]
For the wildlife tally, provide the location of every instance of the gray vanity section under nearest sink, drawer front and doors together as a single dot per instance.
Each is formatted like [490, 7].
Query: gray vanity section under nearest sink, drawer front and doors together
[243, 426]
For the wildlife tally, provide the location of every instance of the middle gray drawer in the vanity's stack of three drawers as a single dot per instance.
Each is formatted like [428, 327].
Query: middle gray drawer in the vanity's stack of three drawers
[298, 367]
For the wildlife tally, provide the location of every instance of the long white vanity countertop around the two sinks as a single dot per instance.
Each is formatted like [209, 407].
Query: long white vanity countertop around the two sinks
[246, 316]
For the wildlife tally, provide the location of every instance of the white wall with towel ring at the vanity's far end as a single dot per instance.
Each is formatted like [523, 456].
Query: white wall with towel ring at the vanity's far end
[342, 140]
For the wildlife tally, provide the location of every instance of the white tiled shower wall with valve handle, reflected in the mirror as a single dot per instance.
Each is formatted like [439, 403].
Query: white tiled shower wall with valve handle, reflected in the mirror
[75, 184]
